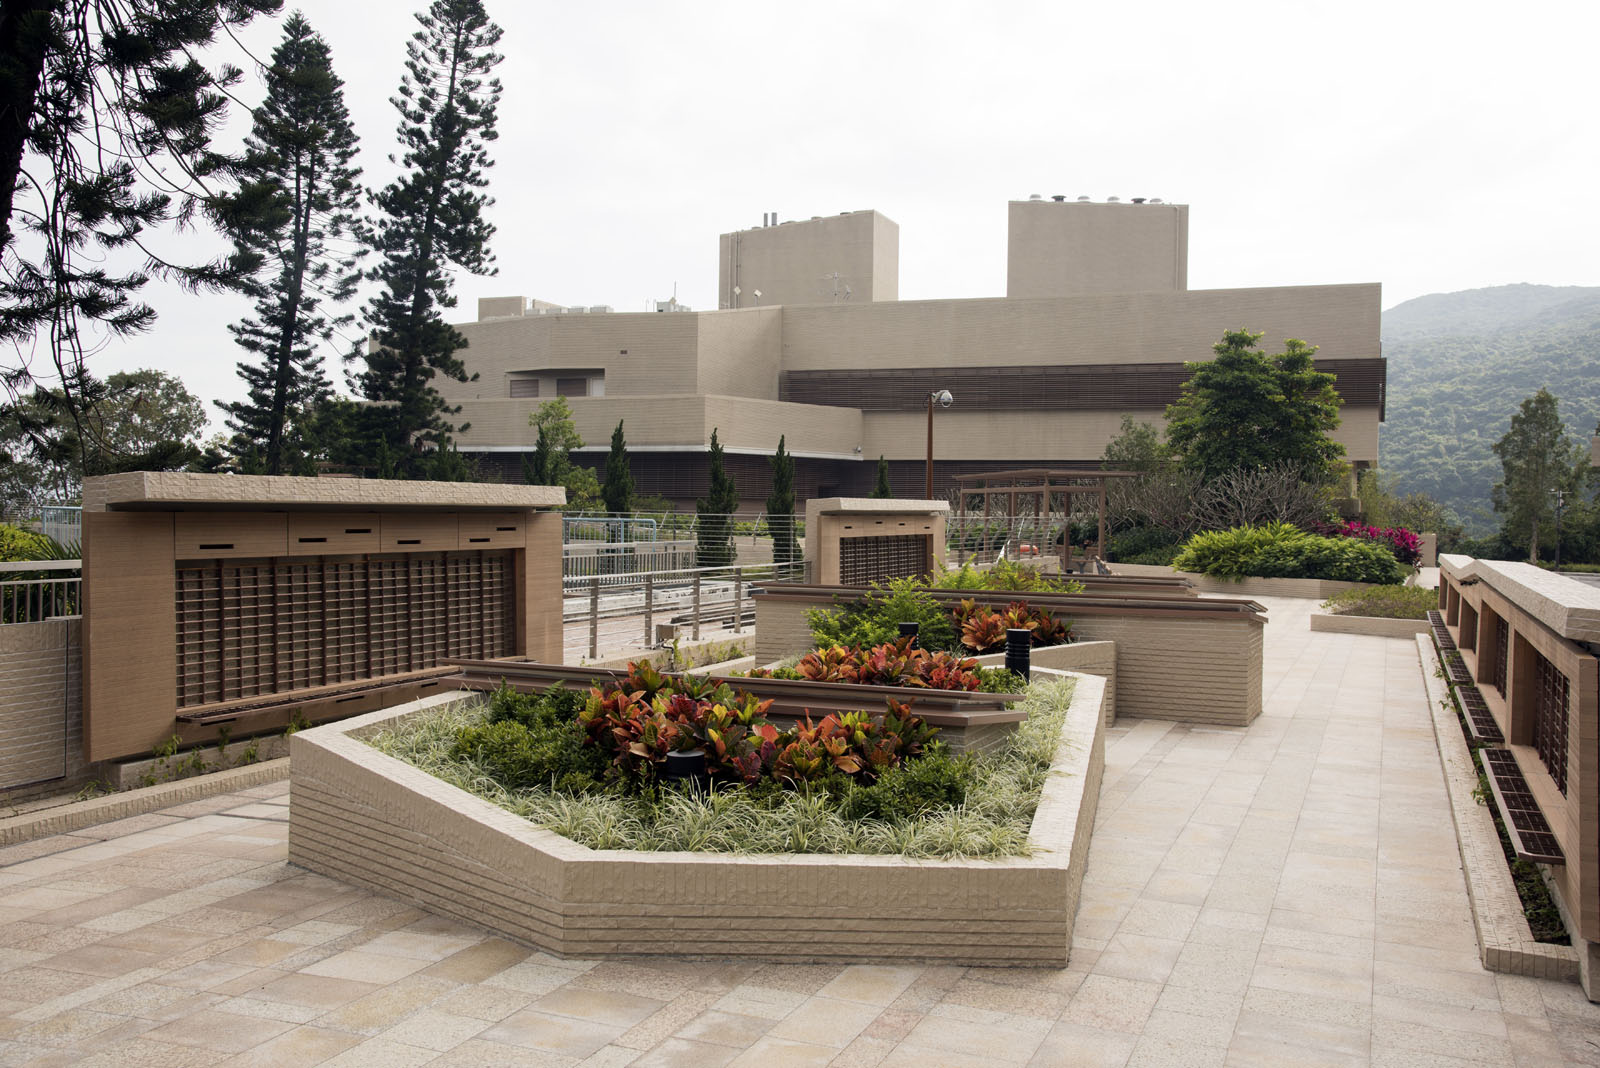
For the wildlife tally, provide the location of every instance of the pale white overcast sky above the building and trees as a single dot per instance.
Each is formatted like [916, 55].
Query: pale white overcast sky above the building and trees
[1425, 146]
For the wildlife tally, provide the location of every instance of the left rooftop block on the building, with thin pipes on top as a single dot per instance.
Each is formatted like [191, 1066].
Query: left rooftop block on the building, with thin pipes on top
[826, 260]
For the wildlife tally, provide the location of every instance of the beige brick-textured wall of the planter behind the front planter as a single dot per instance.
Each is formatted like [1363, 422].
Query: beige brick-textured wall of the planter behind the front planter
[1174, 658]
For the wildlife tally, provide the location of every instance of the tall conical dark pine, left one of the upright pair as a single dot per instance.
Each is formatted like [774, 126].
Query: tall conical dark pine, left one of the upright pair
[302, 149]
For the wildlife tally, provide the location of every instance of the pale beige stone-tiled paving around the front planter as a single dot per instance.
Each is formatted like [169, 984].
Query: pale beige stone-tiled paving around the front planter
[1284, 895]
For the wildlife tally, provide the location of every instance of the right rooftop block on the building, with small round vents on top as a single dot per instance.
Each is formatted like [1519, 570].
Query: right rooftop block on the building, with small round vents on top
[1063, 249]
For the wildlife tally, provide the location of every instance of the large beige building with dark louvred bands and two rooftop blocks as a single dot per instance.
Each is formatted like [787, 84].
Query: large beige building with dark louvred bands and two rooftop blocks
[1039, 381]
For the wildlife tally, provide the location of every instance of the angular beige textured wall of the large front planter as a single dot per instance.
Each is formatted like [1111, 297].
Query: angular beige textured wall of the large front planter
[374, 821]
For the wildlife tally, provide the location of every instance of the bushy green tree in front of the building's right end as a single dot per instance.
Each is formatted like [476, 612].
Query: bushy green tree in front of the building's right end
[1246, 408]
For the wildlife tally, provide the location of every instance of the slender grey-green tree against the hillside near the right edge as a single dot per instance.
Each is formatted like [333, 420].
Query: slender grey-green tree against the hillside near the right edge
[1537, 458]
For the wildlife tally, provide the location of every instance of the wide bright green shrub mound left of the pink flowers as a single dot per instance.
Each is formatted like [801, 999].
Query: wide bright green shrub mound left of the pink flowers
[1281, 551]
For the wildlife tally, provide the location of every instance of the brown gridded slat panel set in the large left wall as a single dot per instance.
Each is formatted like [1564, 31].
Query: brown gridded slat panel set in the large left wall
[247, 629]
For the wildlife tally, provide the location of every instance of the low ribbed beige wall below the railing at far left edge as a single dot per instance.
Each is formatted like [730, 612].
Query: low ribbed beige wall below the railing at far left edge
[41, 706]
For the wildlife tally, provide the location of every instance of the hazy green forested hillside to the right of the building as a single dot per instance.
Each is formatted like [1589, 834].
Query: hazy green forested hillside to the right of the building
[1460, 364]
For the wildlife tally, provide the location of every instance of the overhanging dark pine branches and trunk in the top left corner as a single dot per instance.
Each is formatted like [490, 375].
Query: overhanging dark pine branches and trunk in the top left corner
[106, 124]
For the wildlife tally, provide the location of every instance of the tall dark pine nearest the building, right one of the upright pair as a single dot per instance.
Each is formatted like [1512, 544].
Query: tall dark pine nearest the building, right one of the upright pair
[431, 221]
